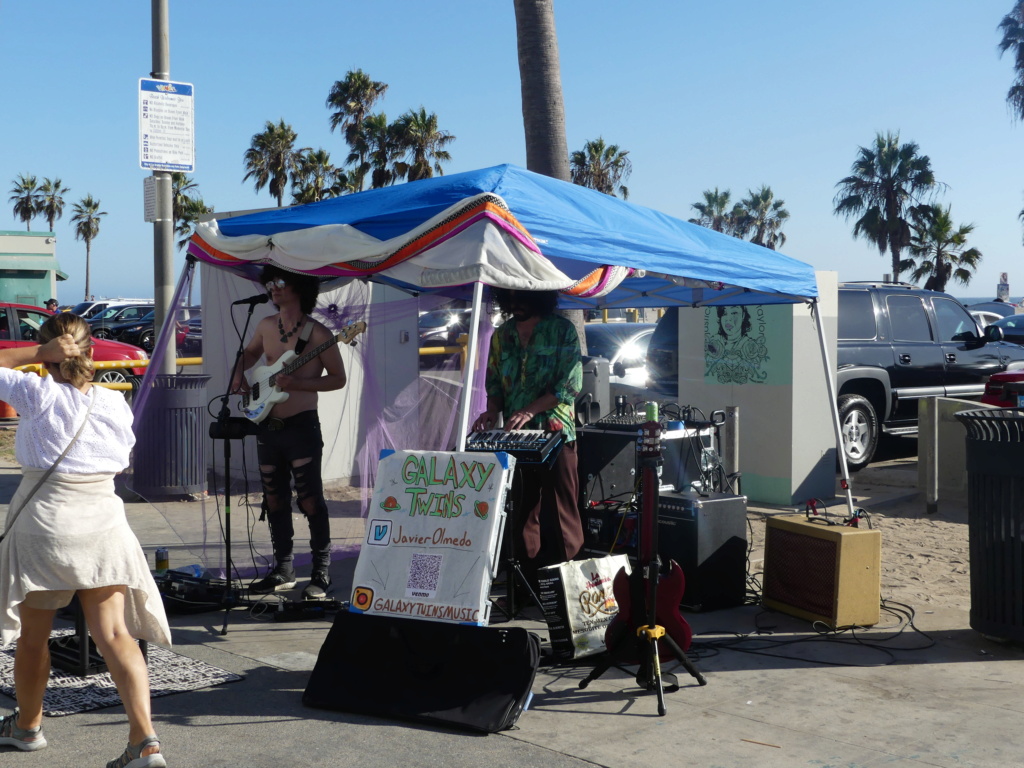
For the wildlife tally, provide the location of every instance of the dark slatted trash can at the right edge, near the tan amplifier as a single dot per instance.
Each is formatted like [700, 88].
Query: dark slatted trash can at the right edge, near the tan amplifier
[996, 521]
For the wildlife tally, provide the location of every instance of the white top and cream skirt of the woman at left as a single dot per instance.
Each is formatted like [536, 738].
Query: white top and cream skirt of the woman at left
[73, 534]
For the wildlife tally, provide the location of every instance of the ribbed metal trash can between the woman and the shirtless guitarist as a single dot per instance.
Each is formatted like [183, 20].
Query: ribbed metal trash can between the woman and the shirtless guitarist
[170, 443]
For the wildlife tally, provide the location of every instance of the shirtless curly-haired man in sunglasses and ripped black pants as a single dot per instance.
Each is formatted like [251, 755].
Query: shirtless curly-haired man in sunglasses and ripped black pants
[289, 443]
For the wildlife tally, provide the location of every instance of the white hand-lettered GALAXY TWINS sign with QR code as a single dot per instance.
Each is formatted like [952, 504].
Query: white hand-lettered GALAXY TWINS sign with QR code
[434, 536]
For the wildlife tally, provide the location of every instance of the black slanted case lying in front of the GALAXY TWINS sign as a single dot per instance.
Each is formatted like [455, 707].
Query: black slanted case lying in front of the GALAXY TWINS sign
[457, 675]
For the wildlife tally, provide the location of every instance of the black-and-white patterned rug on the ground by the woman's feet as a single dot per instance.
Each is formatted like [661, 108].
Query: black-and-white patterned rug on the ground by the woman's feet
[68, 695]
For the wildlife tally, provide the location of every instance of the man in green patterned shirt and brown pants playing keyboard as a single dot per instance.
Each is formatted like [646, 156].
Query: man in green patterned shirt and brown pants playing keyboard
[534, 376]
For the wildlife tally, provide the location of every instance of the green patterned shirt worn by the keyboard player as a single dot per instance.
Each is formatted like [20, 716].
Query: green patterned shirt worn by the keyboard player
[549, 364]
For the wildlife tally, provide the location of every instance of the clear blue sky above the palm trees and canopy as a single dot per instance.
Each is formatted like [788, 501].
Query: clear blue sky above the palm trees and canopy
[733, 96]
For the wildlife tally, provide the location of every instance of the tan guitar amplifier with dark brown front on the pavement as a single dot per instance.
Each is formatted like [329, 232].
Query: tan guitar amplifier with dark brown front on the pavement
[828, 574]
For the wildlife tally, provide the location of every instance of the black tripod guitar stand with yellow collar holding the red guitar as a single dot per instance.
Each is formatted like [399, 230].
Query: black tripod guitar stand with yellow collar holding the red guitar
[641, 642]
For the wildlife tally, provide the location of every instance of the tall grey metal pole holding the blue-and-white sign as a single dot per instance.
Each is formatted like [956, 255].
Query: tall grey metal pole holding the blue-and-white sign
[163, 228]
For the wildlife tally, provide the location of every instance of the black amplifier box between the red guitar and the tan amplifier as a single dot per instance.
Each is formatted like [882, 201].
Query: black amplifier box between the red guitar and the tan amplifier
[707, 536]
